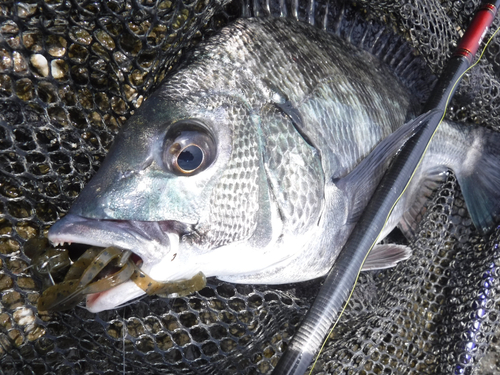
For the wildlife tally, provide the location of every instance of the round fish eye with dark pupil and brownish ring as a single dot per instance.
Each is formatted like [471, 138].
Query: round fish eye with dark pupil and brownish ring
[189, 148]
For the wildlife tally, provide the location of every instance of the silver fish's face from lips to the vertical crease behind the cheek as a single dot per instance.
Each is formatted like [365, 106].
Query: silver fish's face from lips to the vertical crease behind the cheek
[182, 177]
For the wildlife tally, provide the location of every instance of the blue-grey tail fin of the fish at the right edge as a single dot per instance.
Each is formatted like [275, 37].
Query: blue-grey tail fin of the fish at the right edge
[479, 178]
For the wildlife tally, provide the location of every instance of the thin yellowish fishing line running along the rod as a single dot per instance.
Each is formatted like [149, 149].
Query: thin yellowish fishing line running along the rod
[399, 197]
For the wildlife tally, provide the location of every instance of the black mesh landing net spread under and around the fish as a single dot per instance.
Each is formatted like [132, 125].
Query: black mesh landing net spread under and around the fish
[71, 72]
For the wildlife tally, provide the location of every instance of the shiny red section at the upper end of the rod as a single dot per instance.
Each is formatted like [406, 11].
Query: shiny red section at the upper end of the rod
[476, 31]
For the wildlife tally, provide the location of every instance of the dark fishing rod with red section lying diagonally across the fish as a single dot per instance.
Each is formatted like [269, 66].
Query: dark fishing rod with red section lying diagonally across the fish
[339, 284]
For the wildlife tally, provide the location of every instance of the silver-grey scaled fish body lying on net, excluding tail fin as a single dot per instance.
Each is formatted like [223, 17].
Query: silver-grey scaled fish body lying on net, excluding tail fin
[246, 163]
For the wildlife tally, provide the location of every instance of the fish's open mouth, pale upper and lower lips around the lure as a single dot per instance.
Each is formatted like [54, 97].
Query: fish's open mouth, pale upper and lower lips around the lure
[149, 242]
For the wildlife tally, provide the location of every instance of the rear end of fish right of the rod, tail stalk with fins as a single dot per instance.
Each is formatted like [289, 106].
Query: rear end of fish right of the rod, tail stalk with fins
[473, 154]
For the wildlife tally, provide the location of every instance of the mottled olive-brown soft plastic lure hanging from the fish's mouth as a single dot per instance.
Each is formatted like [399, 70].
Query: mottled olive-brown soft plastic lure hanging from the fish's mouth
[96, 271]
